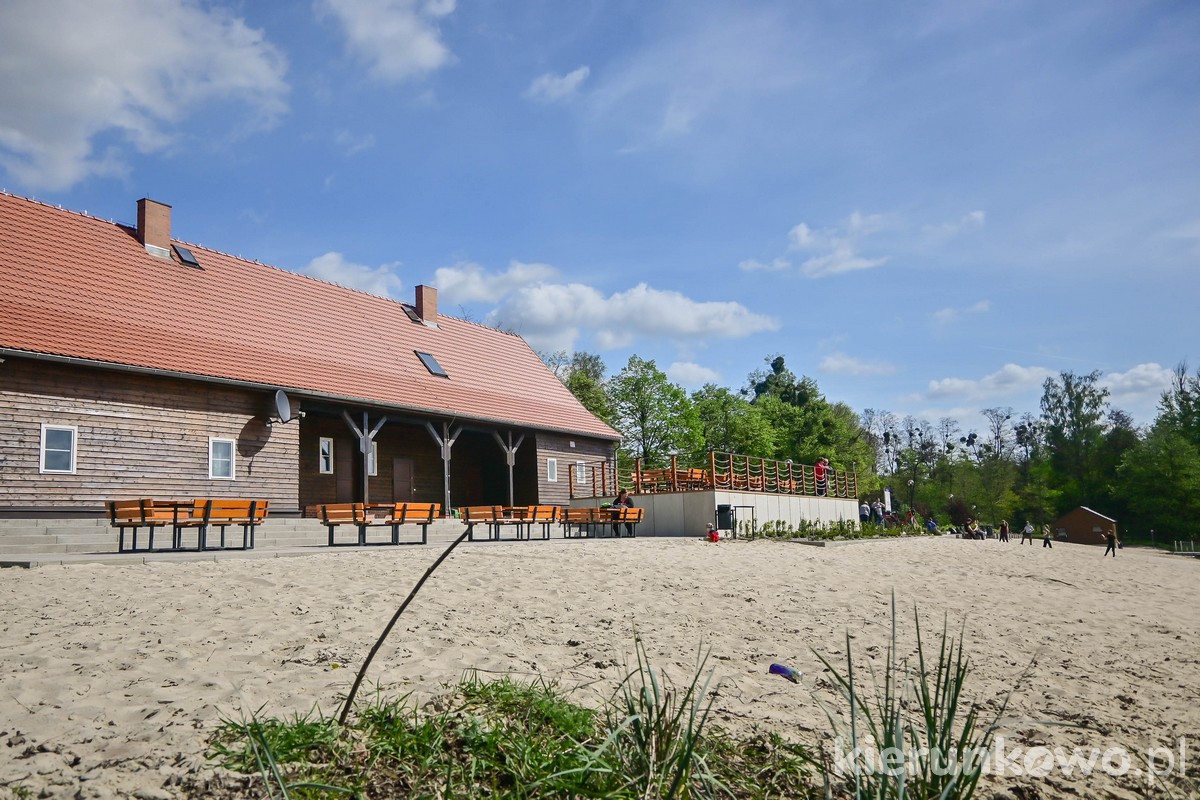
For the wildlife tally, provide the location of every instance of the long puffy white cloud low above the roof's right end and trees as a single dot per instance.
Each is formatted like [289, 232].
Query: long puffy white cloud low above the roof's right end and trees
[555, 316]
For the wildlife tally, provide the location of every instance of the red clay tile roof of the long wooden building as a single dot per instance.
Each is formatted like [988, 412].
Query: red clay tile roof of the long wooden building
[76, 286]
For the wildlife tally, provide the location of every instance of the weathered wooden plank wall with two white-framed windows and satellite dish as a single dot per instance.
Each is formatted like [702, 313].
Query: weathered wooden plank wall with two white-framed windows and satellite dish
[139, 436]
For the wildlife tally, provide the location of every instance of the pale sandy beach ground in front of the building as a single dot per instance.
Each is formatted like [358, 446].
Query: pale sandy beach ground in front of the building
[115, 677]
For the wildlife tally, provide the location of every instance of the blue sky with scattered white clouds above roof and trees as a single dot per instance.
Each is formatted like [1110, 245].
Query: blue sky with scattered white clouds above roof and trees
[927, 207]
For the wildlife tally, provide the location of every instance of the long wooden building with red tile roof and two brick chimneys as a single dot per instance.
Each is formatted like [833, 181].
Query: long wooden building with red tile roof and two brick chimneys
[139, 365]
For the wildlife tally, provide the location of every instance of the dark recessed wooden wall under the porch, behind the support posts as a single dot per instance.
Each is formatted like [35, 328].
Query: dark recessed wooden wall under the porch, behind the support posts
[395, 441]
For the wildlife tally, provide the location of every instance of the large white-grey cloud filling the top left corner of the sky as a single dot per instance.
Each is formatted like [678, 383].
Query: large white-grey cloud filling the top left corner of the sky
[71, 73]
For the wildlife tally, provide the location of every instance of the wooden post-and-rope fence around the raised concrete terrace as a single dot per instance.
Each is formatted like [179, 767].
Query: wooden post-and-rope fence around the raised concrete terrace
[725, 472]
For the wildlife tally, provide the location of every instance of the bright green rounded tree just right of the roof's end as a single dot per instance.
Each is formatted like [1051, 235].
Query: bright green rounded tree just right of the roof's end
[656, 417]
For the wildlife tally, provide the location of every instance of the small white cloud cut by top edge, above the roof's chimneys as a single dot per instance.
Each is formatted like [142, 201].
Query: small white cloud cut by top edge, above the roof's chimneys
[397, 39]
